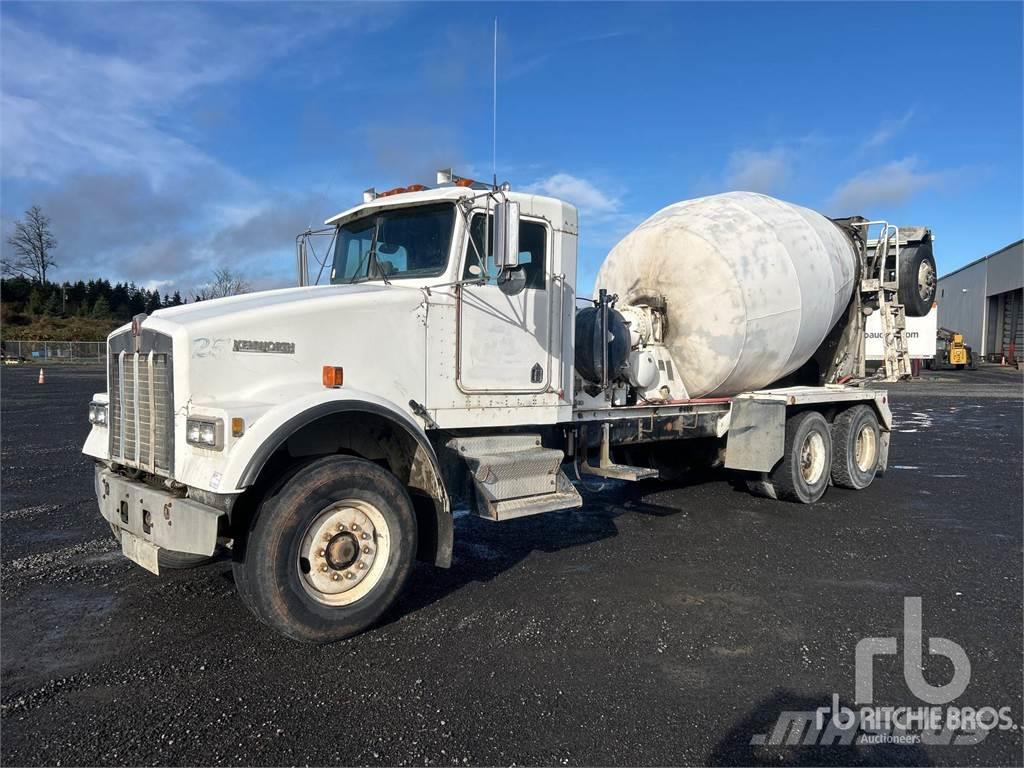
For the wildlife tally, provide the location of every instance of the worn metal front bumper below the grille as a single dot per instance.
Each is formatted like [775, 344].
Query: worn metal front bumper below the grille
[156, 517]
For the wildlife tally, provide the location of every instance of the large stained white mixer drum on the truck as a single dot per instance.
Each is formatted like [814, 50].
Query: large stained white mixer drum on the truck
[752, 286]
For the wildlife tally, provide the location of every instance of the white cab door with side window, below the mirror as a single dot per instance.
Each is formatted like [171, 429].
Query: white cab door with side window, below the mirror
[504, 343]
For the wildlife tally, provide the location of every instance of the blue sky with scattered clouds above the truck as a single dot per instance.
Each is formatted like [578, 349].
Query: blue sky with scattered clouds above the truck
[167, 140]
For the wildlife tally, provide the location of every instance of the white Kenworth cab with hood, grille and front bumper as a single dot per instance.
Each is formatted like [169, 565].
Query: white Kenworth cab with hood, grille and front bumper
[210, 405]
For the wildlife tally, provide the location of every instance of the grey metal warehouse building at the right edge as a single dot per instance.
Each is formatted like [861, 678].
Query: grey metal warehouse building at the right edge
[986, 302]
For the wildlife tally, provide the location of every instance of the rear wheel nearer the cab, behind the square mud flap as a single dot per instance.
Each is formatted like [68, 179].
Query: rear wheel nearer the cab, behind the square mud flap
[803, 474]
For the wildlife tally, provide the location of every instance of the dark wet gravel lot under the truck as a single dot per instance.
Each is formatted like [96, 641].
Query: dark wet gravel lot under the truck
[657, 626]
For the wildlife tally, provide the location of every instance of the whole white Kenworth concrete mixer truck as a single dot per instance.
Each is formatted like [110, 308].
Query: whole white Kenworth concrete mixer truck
[323, 435]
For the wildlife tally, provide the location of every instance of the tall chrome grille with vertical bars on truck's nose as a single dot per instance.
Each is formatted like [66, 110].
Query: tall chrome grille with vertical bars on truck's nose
[142, 432]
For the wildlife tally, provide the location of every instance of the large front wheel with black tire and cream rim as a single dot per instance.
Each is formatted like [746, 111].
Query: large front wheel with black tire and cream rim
[330, 551]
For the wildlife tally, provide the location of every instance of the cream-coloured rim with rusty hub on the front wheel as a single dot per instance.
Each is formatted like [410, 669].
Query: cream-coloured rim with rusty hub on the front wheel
[345, 552]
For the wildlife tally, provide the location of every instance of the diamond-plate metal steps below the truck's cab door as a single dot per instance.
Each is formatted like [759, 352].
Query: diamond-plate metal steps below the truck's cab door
[516, 476]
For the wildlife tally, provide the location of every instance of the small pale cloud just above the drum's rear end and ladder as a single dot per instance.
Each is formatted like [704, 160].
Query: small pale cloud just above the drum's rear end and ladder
[890, 185]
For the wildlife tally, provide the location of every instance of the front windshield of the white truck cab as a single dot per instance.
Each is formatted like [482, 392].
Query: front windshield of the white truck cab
[395, 244]
